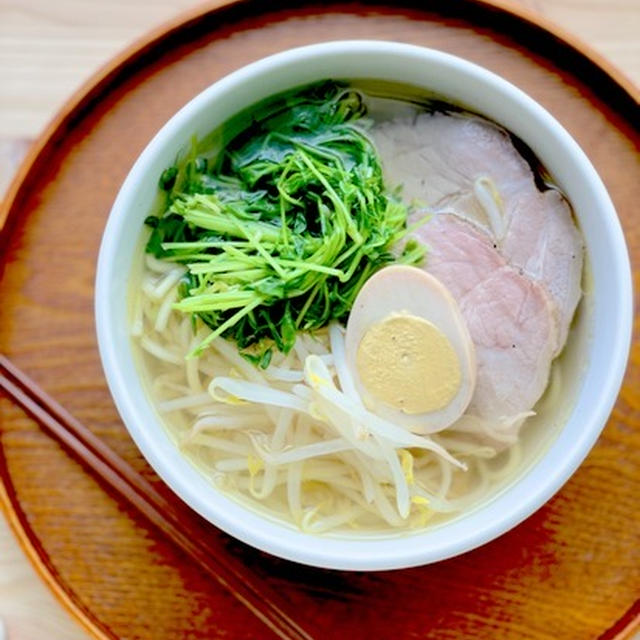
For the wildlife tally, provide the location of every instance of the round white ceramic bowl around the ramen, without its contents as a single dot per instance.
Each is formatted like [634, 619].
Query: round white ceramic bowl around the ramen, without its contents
[603, 353]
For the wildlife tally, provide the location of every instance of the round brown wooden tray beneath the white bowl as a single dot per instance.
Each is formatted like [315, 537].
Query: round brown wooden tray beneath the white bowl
[572, 570]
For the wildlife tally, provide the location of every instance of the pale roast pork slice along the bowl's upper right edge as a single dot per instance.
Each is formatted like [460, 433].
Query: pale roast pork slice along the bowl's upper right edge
[470, 167]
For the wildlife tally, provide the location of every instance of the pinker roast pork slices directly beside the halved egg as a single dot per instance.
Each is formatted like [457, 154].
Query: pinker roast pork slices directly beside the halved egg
[509, 316]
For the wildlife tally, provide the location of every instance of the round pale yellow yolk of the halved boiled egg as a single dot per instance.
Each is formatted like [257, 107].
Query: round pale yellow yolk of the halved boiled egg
[409, 364]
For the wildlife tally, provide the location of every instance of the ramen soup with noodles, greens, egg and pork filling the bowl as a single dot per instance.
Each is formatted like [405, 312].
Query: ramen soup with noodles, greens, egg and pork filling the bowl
[358, 312]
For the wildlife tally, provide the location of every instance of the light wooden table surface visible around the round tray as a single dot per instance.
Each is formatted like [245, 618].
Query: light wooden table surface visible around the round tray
[47, 50]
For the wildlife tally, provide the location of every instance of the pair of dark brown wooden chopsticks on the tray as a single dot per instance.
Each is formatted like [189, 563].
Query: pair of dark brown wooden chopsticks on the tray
[108, 466]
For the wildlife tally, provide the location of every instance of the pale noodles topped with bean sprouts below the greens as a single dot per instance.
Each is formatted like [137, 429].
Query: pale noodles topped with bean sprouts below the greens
[273, 444]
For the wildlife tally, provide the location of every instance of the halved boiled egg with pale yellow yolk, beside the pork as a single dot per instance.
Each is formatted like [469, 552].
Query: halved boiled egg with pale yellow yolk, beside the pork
[409, 350]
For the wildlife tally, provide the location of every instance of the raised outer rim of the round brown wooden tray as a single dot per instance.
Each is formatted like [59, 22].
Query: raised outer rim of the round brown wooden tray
[75, 105]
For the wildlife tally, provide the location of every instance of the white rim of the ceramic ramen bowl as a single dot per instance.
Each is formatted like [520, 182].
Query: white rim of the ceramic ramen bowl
[370, 553]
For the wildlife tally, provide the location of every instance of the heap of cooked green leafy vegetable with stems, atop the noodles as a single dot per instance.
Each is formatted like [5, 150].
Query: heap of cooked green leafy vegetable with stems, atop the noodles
[280, 234]
